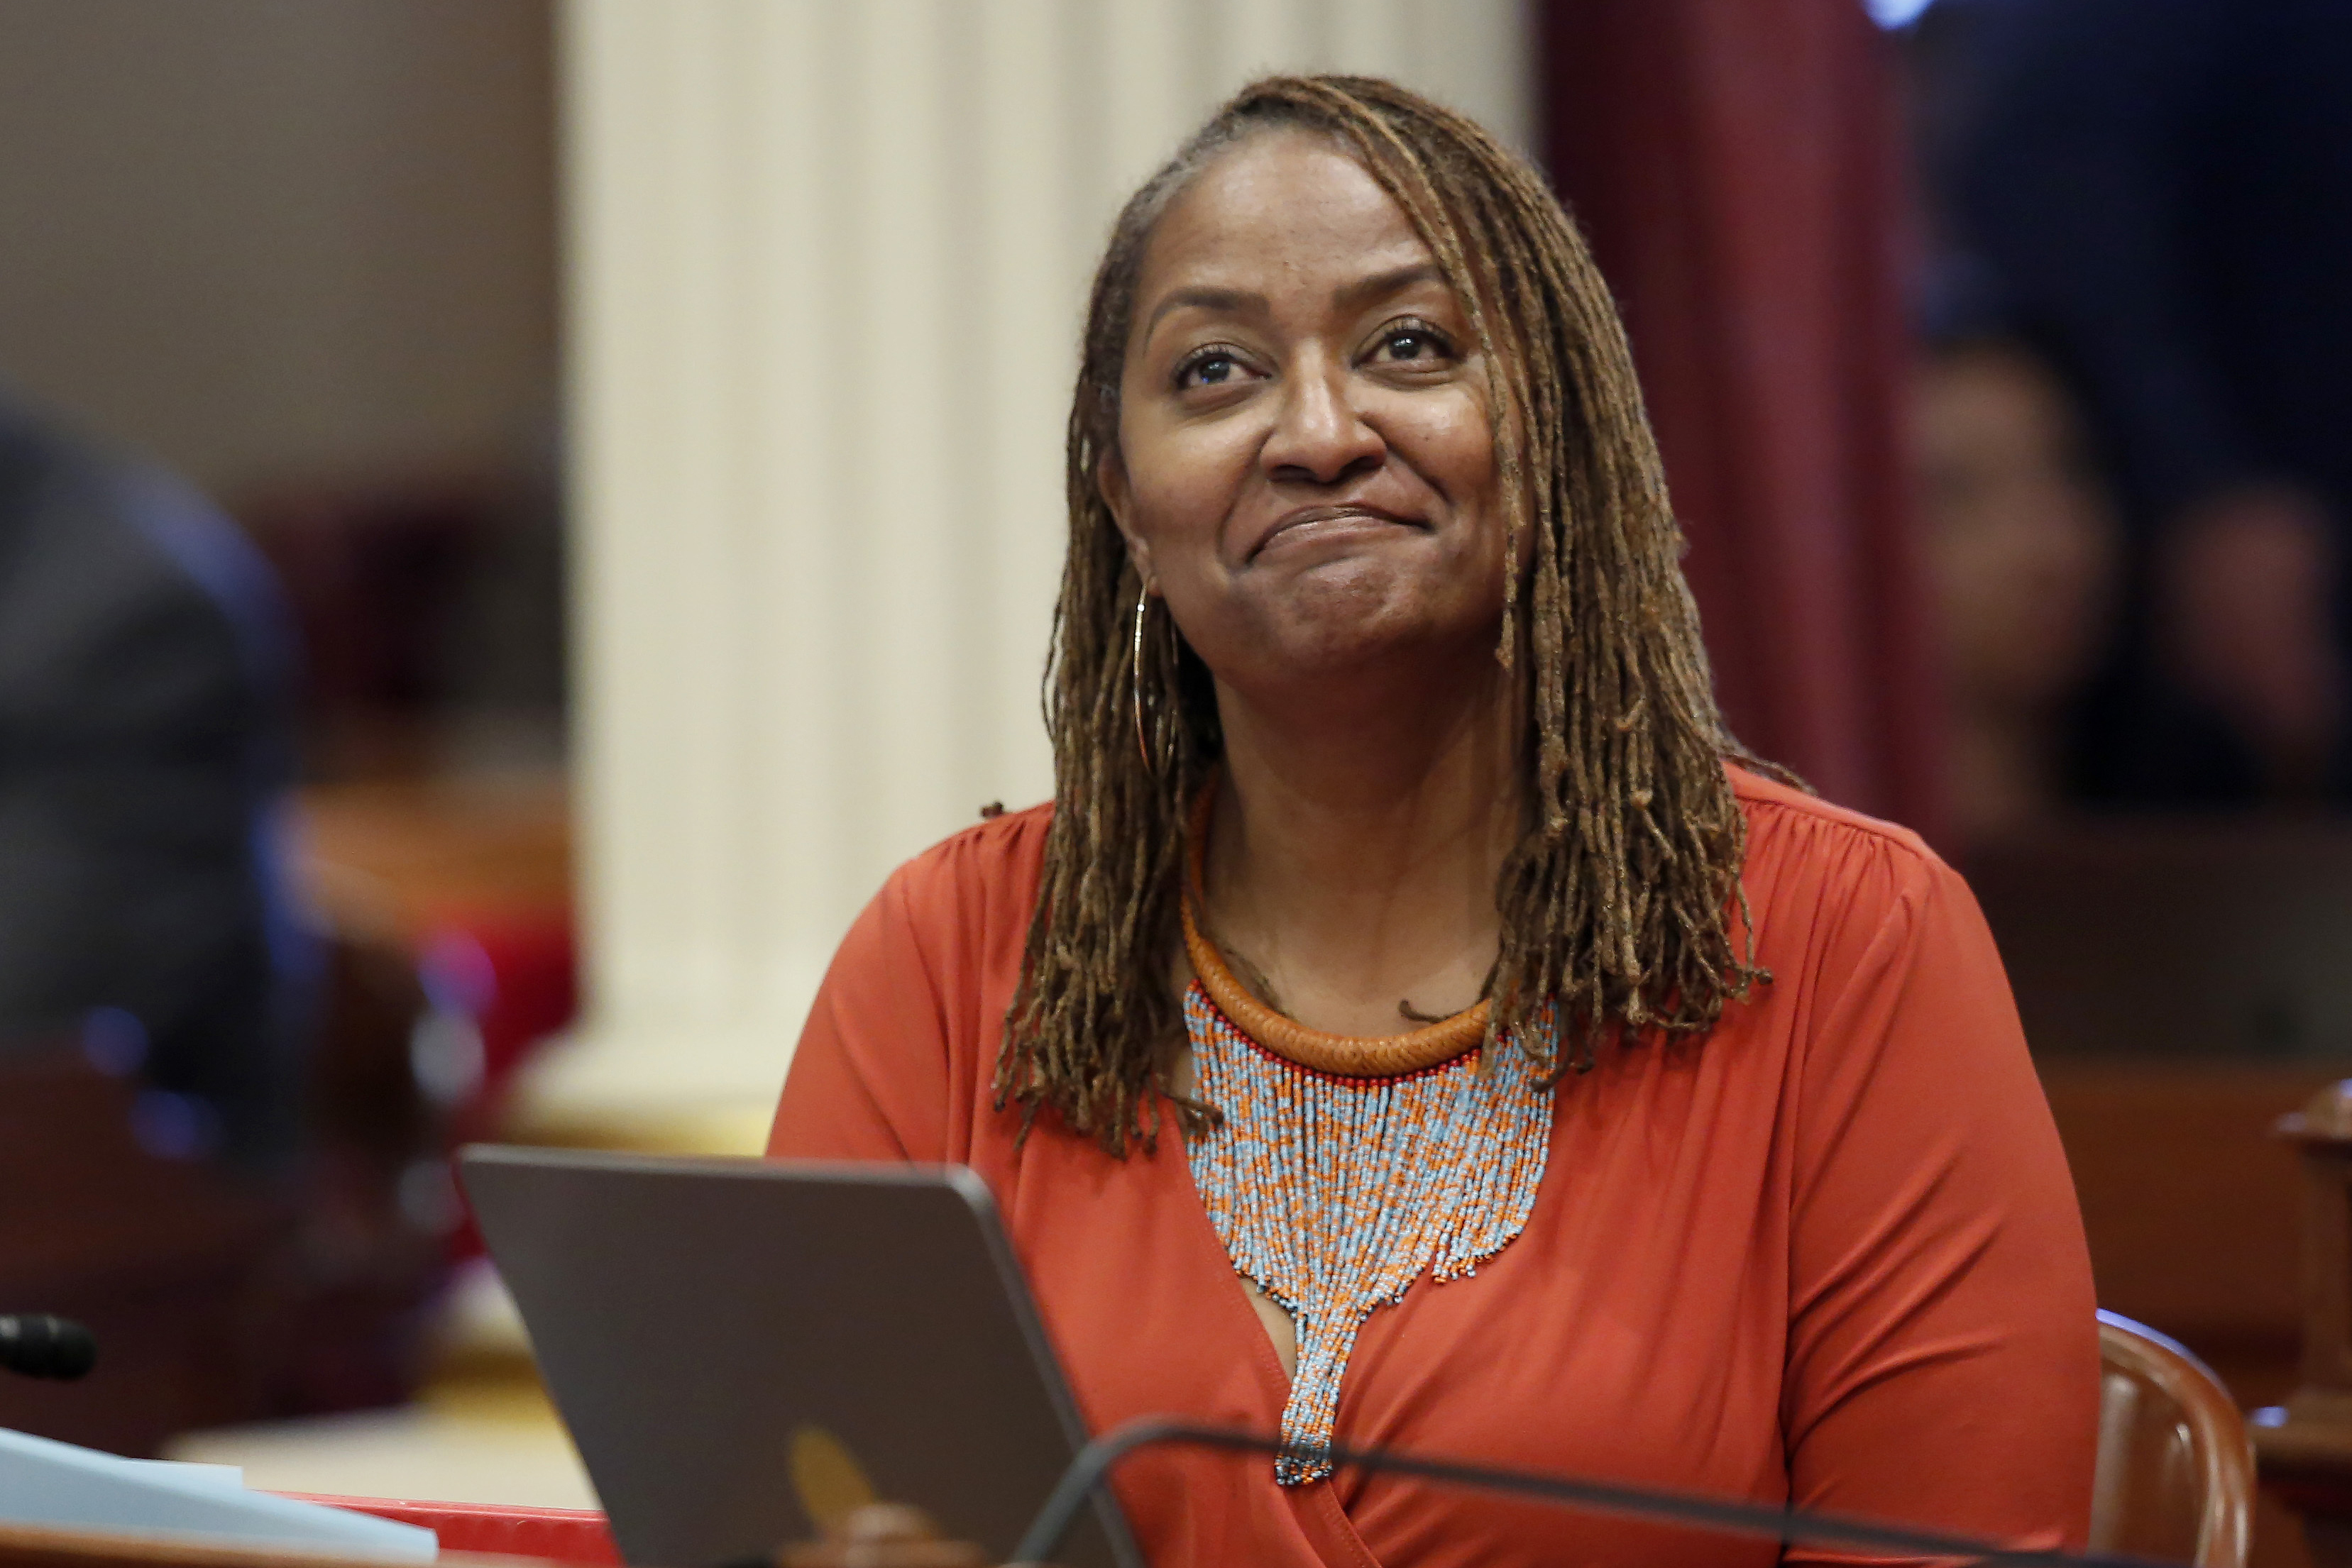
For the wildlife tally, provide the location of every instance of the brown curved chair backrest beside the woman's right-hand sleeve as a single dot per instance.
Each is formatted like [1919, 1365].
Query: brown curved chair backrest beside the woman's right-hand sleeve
[2174, 1461]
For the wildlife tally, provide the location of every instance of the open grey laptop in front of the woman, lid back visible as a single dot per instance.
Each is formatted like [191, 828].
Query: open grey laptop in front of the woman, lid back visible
[747, 1351]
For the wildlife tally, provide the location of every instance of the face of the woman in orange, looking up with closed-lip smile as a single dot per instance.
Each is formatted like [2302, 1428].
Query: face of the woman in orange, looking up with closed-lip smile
[1307, 464]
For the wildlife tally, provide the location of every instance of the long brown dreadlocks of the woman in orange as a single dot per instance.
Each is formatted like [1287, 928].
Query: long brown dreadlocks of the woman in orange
[1617, 902]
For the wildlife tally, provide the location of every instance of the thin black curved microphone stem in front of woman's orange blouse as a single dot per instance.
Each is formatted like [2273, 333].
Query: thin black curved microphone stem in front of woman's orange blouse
[1784, 1525]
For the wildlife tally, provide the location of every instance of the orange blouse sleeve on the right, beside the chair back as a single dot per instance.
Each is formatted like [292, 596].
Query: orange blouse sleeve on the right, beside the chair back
[1942, 1341]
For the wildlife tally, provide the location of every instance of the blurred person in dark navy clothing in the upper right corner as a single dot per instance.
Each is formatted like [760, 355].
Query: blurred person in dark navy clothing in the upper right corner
[2165, 187]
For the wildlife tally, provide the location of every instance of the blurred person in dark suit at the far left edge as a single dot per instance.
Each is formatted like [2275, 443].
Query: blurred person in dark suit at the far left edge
[145, 758]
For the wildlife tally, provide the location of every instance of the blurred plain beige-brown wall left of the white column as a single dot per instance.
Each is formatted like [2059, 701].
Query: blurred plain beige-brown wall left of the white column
[274, 239]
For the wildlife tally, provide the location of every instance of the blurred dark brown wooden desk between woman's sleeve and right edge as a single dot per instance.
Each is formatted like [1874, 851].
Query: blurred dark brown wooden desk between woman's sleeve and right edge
[2184, 989]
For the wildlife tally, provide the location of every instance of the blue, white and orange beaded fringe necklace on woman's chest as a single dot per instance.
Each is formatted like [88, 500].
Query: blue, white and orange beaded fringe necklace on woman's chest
[1335, 1193]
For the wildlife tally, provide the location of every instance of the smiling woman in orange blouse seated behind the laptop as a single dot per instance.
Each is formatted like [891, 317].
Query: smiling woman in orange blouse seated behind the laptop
[1410, 942]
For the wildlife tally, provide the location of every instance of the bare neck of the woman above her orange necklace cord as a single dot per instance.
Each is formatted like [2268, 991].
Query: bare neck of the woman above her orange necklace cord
[1356, 845]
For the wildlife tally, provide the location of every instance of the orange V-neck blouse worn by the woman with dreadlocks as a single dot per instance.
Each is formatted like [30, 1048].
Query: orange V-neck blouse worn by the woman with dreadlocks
[1826, 1257]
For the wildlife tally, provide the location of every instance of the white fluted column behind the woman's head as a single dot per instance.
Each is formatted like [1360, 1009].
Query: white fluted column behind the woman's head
[827, 269]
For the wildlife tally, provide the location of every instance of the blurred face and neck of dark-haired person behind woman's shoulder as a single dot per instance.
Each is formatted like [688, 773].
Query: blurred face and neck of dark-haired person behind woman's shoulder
[2024, 551]
